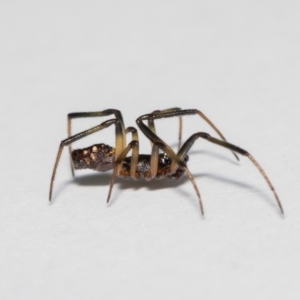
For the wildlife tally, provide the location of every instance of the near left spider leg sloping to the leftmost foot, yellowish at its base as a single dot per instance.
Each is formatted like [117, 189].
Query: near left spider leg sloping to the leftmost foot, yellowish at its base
[119, 143]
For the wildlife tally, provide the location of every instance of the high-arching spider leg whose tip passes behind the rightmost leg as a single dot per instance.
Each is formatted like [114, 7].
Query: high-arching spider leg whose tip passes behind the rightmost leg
[175, 112]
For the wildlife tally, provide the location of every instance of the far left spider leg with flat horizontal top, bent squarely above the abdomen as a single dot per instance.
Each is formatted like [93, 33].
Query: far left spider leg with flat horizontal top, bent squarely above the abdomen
[104, 113]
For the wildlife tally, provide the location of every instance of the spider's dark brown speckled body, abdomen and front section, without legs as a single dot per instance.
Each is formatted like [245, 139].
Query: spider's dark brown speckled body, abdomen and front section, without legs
[101, 157]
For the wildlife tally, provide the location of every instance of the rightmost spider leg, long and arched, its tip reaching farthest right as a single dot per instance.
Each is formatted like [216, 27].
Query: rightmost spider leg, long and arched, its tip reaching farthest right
[189, 143]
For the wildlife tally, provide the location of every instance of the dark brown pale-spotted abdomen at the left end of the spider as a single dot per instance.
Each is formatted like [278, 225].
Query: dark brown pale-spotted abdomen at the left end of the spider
[99, 157]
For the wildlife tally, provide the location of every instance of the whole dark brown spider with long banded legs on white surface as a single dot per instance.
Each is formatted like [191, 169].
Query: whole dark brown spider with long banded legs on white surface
[168, 164]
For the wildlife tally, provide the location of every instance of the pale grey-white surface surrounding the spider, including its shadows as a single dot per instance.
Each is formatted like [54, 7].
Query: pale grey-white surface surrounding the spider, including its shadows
[238, 62]
